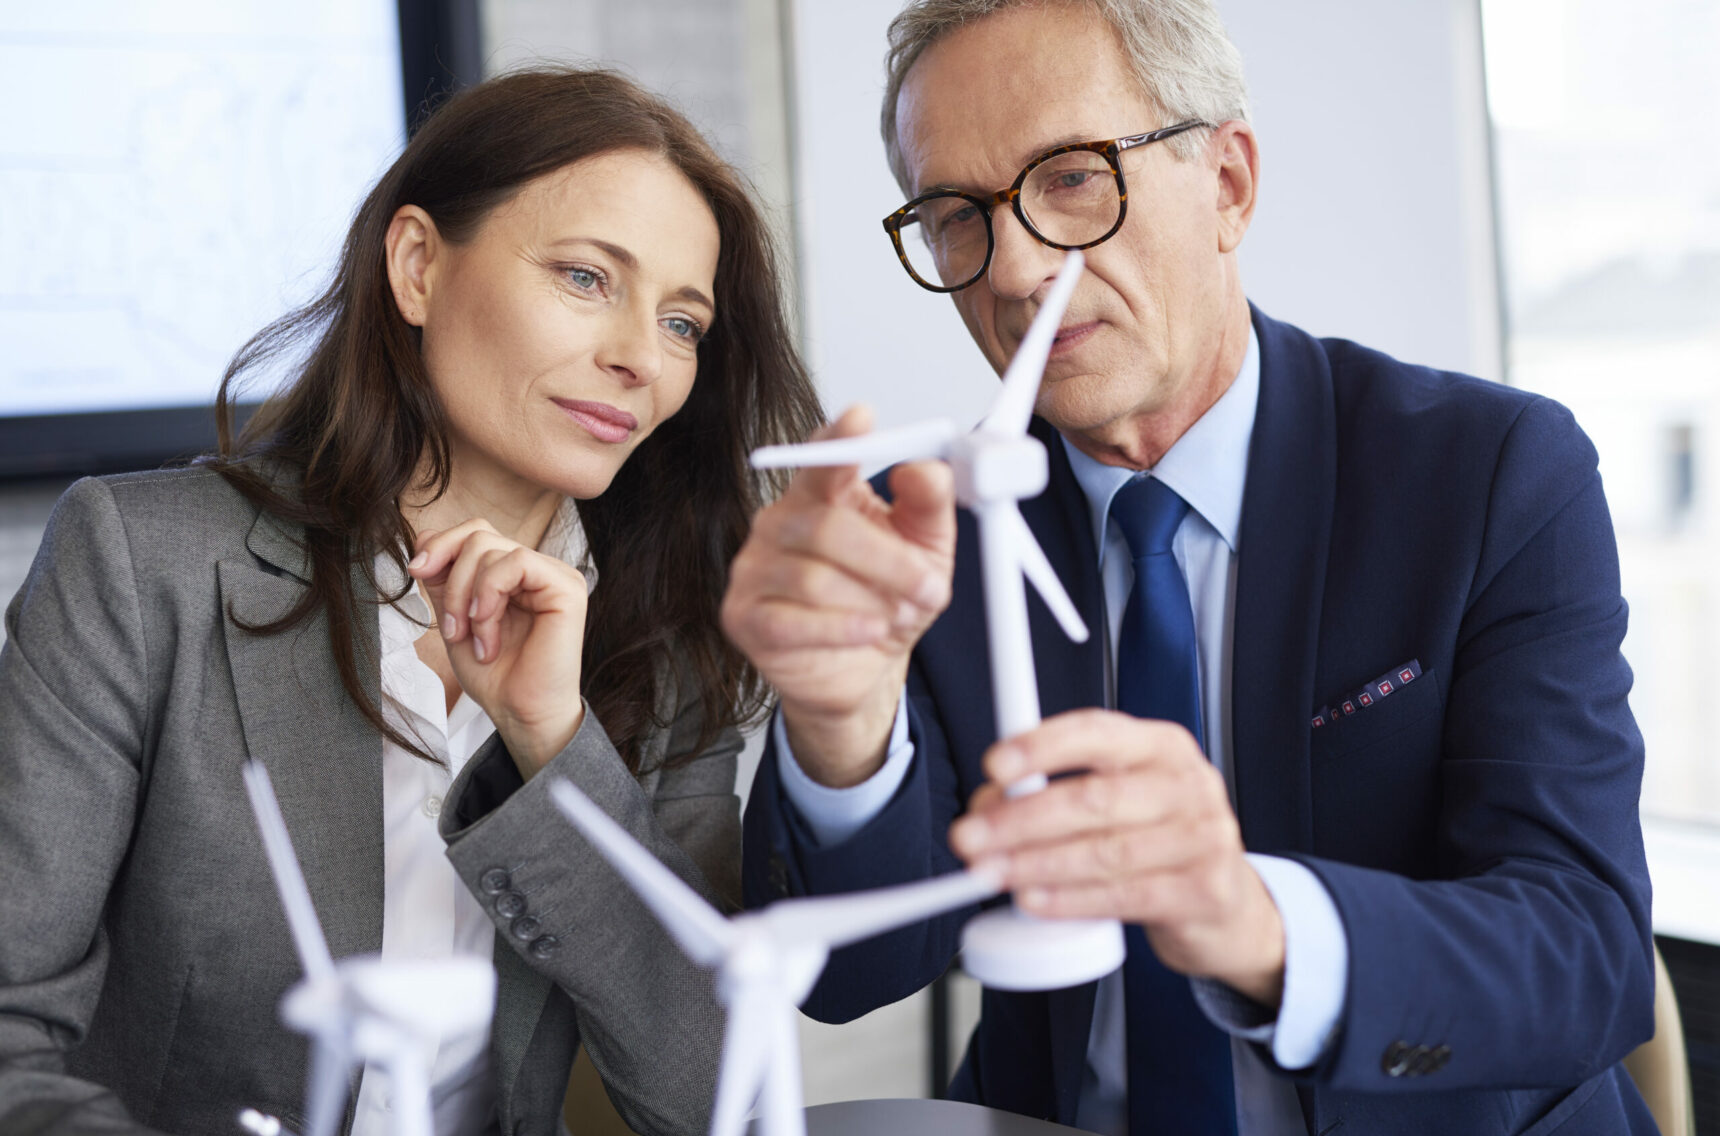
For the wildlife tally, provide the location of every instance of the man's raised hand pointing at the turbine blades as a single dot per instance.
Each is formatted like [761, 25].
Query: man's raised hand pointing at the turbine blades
[830, 595]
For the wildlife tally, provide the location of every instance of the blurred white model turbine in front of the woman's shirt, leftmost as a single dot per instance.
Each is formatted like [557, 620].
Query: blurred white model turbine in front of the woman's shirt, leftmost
[362, 1009]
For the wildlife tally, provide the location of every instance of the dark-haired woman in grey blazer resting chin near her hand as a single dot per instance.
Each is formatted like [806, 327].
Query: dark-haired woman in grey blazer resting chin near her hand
[553, 336]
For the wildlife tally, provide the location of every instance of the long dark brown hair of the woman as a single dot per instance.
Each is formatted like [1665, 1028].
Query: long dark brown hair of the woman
[357, 421]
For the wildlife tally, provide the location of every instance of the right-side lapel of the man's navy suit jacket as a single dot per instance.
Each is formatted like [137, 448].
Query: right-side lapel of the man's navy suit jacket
[1281, 583]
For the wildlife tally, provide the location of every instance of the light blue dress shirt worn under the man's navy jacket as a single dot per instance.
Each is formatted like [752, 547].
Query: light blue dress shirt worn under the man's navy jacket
[1208, 469]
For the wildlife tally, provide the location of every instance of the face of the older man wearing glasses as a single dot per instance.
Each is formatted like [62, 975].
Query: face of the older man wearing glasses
[1146, 326]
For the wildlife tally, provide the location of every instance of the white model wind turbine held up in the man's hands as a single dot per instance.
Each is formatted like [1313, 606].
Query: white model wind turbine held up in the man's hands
[997, 467]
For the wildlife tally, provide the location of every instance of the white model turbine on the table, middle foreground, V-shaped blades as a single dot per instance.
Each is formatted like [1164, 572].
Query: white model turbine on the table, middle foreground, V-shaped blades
[766, 961]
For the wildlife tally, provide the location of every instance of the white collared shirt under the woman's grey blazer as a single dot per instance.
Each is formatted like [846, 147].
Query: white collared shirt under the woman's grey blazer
[427, 913]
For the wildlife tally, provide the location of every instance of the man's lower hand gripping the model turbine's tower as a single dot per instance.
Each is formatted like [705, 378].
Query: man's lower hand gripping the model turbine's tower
[1143, 834]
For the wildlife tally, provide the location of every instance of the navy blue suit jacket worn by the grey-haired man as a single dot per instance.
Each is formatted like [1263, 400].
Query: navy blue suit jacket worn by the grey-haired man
[1478, 829]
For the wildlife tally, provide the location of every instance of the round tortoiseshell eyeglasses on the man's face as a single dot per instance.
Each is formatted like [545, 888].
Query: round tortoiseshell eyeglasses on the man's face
[1069, 197]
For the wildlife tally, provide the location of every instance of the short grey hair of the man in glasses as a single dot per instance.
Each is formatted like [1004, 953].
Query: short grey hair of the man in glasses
[1179, 51]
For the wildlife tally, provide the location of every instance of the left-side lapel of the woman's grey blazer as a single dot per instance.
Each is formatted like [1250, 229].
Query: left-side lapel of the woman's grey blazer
[322, 755]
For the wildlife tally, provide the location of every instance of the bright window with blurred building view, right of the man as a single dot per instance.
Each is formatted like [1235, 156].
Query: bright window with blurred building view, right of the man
[1609, 213]
